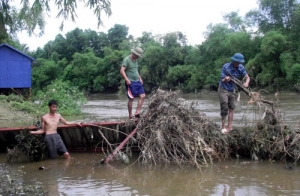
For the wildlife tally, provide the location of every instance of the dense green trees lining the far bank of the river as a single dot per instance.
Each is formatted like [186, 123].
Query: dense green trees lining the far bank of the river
[268, 38]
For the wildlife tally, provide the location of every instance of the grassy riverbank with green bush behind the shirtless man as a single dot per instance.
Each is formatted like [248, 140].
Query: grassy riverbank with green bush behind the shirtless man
[15, 109]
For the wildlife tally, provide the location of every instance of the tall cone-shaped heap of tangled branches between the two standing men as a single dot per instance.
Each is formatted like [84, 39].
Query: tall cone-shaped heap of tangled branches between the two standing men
[173, 131]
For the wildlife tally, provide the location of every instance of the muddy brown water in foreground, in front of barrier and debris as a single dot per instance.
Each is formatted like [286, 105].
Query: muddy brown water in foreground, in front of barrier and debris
[234, 177]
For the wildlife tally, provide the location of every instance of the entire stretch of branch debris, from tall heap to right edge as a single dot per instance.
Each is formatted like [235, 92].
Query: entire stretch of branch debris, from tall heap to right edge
[172, 130]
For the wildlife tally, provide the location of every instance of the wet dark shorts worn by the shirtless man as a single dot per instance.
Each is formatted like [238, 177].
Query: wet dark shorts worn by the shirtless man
[55, 145]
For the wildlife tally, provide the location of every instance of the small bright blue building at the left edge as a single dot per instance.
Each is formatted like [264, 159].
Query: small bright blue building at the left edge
[15, 68]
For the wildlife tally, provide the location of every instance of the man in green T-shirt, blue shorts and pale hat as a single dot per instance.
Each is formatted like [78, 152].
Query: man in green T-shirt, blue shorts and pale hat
[133, 81]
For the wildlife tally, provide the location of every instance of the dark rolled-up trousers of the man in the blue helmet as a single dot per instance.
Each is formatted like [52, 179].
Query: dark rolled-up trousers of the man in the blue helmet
[226, 100]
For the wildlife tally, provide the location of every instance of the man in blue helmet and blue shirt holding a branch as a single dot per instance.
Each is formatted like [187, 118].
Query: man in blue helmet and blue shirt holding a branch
[226, 88]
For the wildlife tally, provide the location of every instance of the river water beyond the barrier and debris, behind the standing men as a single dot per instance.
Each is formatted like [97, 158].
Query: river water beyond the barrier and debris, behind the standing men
[114, 107]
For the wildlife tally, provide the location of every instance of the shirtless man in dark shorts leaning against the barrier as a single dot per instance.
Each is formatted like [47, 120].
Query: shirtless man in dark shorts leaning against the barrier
[53, 140]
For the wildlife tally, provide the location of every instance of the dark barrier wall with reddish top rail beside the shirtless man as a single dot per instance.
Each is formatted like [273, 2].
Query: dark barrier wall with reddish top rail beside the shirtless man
[85, 138]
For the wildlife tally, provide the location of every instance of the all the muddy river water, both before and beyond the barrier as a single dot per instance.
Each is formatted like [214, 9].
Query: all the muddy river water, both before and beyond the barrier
[81, 176]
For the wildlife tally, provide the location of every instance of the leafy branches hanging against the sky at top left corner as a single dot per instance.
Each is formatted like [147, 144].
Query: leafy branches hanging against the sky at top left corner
[30, 16]
